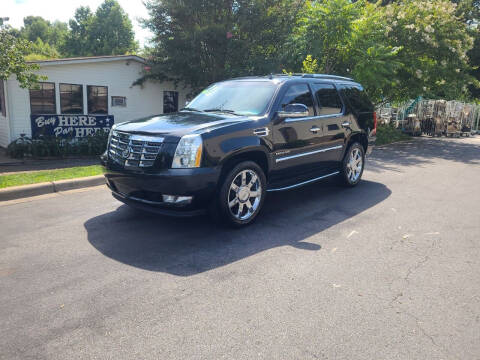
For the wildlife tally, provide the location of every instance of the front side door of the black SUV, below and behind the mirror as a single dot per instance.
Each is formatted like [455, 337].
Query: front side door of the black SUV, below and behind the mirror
[296, 140]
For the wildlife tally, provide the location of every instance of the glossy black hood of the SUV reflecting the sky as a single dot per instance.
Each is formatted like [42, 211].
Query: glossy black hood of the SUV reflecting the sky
[179, 124]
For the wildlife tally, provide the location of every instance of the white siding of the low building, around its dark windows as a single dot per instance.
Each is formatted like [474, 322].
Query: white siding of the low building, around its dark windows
[117, 75]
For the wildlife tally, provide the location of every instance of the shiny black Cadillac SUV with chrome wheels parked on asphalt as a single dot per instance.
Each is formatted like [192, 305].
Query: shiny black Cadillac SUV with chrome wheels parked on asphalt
[239, 139]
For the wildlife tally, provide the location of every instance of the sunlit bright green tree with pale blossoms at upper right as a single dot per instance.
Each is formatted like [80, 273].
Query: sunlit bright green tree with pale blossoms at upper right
[397, 51]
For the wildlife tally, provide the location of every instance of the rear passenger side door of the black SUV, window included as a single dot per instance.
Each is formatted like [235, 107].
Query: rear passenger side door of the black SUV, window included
[333, 122]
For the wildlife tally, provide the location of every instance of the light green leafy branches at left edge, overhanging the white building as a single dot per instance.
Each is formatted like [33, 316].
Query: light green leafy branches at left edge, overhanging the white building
[12, 60]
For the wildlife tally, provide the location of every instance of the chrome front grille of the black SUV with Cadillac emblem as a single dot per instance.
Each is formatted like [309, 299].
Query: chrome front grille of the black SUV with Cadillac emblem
[132, 150]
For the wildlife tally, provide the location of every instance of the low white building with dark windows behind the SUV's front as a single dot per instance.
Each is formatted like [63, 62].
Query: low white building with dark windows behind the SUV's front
[83, 95]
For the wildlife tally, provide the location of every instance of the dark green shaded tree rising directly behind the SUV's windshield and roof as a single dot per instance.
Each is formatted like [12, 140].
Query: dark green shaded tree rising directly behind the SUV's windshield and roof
[197, 42]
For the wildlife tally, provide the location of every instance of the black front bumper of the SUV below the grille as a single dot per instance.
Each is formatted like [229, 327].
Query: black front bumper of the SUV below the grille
[145, 190]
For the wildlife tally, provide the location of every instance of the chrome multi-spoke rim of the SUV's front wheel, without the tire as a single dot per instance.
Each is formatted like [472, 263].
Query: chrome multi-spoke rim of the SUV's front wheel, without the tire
[244, 194]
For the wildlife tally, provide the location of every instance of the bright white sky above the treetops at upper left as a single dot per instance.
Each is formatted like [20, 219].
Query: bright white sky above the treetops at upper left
[64, 10]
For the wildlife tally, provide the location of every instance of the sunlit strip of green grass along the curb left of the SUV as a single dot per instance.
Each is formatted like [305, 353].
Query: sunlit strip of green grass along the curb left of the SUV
[34, 177]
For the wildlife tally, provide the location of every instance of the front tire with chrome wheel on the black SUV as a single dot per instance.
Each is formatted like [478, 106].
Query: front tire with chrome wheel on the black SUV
[234, 203]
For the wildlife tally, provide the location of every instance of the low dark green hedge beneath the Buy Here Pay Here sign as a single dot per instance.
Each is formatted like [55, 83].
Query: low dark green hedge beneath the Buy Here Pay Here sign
[58, 147]
